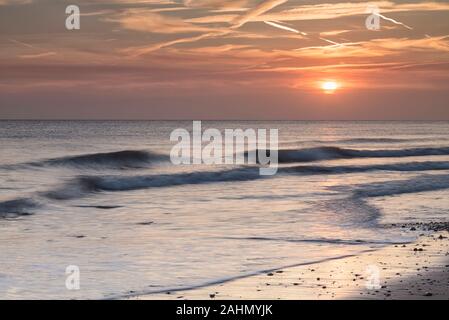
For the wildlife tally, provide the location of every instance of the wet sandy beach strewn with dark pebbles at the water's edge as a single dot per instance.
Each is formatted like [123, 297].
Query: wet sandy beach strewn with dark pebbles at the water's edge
[417, 270]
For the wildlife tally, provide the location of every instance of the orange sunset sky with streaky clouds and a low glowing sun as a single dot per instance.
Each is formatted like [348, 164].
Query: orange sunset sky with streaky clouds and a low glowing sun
[236, 59]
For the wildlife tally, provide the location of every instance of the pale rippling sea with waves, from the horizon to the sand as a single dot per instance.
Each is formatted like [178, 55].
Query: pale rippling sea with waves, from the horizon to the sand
[103, 196]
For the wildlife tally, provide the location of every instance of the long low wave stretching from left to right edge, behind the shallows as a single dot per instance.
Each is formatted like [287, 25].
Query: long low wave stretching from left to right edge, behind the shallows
[83, 185]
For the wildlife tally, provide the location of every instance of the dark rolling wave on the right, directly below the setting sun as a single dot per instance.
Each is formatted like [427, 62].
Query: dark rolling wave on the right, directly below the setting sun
[333, 153]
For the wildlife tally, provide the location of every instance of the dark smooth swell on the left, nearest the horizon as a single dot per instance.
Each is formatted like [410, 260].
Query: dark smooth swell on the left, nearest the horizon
[126, 159]
